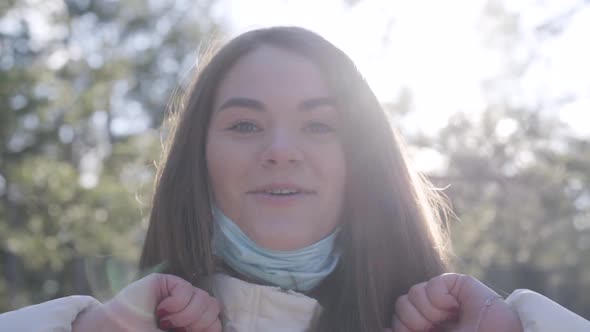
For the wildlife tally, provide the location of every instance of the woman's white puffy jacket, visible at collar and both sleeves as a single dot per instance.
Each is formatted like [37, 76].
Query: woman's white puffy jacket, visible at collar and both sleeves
[248, 307]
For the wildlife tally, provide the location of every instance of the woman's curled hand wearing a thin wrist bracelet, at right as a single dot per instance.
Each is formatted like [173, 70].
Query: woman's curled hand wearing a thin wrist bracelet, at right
[453, 303]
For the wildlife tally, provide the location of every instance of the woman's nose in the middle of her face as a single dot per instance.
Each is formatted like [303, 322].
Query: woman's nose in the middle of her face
[282, 149]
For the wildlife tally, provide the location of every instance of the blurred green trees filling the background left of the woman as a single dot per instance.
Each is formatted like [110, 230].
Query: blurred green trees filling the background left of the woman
[82, 85]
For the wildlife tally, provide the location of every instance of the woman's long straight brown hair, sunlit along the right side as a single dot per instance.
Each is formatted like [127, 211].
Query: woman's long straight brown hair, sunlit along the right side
[393, 232]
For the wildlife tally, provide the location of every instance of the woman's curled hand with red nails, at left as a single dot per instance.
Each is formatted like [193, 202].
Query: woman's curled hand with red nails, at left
[177, 305]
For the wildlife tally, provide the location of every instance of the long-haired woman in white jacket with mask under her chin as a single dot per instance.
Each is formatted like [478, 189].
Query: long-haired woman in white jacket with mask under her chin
[284, 171]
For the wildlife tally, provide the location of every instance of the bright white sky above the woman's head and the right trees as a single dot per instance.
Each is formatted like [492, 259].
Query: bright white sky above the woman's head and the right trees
[438, 51]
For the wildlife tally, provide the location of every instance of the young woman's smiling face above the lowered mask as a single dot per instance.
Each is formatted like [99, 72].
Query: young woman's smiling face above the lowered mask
[275, 158]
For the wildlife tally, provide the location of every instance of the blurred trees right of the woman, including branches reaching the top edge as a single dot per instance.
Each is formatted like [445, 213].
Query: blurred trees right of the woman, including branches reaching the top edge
[518, 177]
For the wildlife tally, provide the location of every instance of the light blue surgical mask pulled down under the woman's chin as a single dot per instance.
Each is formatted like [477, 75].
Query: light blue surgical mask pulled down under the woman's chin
[300, 269]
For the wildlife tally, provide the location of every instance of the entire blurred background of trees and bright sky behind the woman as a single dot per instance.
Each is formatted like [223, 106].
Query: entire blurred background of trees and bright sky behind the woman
[492, 95]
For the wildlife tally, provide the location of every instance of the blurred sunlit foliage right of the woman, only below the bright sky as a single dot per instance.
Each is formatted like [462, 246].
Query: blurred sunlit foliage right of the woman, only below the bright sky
[521, 189]
